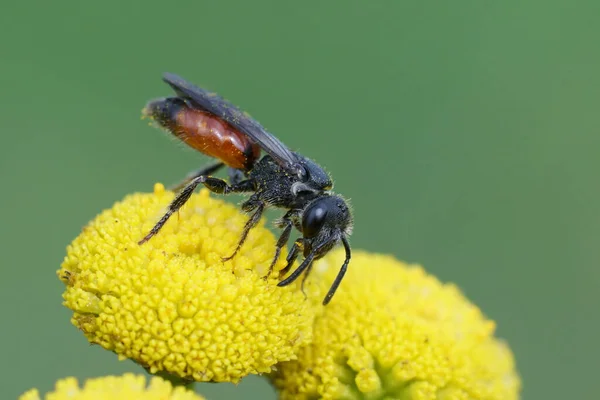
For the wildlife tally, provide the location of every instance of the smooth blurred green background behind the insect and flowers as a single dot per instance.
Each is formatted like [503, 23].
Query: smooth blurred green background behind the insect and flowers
[465, 133]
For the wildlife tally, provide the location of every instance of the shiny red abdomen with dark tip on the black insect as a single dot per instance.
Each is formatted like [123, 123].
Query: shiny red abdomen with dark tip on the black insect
[205, 132]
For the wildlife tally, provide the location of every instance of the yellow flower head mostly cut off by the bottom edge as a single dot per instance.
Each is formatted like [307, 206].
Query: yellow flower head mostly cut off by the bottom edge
[126, 387]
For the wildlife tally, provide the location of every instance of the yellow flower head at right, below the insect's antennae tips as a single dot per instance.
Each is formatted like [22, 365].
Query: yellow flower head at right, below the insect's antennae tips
[392, 331]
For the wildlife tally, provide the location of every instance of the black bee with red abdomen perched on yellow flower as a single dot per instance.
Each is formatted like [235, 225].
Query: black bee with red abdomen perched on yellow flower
[281, 178]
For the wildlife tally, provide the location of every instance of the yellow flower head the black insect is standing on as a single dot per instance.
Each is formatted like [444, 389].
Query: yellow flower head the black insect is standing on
[171, 304]
